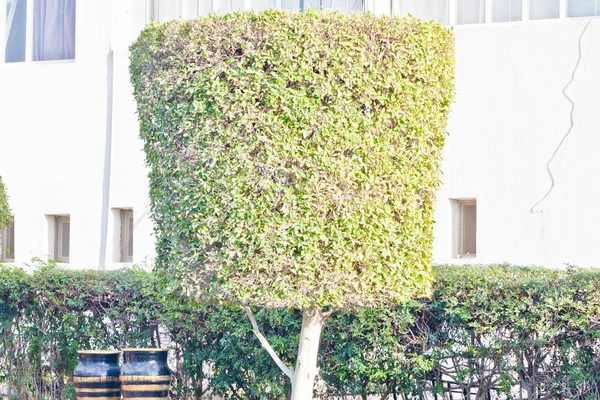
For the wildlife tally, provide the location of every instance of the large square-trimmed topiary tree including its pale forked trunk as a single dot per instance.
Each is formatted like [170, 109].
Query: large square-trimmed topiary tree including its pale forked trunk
[294, 159]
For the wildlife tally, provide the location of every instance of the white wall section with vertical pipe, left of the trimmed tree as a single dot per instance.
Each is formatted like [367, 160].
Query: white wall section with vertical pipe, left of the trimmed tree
[55, 154]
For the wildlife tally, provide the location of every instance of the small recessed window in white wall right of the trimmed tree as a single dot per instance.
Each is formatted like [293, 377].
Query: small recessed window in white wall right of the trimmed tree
[465, 228]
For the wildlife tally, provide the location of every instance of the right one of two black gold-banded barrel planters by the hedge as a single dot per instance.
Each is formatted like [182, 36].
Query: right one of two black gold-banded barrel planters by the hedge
[145, 374]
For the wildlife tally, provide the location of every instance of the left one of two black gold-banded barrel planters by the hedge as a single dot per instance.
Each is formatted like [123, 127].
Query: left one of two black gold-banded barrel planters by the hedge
[97, 375]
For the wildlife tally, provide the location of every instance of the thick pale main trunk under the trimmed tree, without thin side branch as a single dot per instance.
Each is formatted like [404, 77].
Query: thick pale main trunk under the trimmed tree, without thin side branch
[306, 363]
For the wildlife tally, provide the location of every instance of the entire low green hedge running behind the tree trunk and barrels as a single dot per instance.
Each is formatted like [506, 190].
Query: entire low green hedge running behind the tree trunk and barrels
[489, 329]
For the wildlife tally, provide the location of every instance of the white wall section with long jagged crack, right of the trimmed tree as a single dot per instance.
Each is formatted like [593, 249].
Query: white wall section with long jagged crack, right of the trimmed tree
[509, 117]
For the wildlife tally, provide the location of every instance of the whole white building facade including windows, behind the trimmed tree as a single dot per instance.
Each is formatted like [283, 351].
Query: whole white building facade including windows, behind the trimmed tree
[519, 173]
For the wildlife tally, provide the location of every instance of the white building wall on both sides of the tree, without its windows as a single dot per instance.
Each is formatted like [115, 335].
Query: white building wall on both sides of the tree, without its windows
[69, 141]
